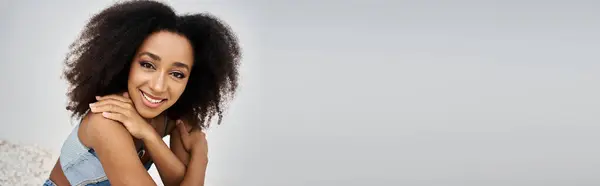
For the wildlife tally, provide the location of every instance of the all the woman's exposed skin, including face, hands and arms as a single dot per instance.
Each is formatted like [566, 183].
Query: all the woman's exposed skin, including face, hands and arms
[160, 69]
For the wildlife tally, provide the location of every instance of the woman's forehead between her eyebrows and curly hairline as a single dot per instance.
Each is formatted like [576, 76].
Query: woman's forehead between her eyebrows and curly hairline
[170, 47]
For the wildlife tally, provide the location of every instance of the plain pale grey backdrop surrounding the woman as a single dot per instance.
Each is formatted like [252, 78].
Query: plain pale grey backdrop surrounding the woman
[363, 93]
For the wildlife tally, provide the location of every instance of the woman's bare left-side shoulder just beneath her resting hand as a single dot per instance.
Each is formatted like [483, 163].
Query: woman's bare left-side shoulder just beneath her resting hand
[95, 129]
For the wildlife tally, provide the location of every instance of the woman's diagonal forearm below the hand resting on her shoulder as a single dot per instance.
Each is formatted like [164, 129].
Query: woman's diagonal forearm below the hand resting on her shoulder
[170, 168]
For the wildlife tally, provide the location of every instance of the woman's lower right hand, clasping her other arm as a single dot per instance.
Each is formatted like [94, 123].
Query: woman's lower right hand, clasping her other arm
[194, 141]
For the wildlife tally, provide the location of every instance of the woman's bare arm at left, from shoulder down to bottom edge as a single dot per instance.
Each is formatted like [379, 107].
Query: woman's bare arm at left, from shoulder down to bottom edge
[116, 151]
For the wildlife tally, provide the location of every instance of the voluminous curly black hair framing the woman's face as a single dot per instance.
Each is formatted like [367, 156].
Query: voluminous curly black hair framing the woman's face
[99, 59]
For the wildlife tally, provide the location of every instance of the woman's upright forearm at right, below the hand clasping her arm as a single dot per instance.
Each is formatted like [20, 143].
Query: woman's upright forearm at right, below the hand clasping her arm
[196, 170]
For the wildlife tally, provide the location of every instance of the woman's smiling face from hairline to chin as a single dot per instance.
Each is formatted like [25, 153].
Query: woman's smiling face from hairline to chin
[159, 72]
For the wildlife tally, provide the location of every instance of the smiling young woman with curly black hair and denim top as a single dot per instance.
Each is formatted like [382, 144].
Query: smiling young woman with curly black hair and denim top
[137, 73]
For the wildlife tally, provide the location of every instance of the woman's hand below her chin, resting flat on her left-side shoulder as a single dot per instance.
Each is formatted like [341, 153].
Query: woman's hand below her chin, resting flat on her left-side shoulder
[120, 108]
